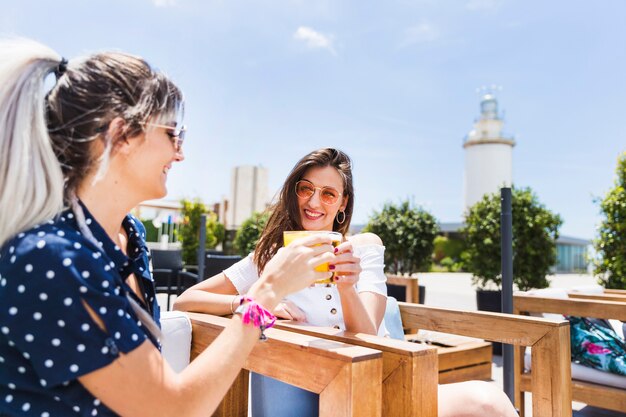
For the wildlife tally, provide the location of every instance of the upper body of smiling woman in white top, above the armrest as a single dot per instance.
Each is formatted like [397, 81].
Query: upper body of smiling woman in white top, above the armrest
[318, 195]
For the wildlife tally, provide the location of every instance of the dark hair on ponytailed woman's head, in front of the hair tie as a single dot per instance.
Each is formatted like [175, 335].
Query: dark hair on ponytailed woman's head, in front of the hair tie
[89, 95]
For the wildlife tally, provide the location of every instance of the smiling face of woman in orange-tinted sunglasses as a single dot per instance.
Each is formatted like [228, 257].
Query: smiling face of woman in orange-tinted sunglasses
[314, 214]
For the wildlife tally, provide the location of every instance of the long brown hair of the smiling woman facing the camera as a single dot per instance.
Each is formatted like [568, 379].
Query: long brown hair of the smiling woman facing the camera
[285, 214]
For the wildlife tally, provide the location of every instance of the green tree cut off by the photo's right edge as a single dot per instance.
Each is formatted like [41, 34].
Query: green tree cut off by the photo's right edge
[610, 246]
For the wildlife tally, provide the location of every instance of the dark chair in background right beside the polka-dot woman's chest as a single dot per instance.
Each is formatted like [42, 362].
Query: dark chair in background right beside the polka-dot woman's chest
[169, 275]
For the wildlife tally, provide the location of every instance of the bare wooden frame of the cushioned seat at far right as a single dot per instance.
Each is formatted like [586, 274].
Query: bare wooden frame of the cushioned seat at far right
[590, 393]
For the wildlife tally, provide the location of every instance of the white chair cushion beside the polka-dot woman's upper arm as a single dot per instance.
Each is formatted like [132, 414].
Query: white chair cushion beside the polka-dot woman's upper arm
[176, 341]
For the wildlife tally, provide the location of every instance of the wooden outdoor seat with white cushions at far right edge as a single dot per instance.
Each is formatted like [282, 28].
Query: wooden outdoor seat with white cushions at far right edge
[590, 386]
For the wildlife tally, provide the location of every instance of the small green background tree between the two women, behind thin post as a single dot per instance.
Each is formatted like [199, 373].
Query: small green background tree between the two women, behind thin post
[189, 232]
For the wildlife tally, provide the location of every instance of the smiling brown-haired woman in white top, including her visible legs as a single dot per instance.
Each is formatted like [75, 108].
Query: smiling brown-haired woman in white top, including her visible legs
[318, 195]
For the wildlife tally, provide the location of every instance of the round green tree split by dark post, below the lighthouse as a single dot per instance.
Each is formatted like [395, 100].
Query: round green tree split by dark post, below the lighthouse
[535, 230]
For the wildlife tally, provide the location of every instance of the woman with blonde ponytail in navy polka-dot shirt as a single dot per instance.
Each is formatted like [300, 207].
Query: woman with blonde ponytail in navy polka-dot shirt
[79, 319]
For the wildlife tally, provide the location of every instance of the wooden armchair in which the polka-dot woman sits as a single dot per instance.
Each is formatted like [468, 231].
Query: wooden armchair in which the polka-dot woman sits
[347, 378]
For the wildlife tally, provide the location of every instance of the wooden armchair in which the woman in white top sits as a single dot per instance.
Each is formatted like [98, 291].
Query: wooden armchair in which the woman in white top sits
[410, 388]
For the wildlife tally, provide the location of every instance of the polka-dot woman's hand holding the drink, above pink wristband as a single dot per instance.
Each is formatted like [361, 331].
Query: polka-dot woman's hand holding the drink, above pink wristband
[293, 268]
